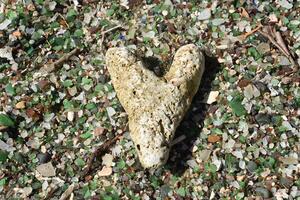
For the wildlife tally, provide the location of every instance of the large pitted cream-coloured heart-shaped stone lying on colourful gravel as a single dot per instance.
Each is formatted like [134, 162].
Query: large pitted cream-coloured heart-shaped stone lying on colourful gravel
[155, 105]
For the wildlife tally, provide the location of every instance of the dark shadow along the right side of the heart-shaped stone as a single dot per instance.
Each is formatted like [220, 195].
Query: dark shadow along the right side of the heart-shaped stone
[192, 123]
